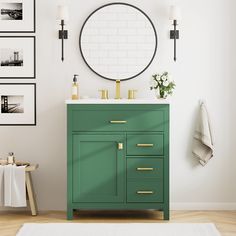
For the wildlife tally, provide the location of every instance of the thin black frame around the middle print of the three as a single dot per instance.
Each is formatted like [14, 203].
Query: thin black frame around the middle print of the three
[34, 58]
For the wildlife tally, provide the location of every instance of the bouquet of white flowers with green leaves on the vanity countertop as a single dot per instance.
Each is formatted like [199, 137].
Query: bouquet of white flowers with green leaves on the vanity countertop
[162, 84]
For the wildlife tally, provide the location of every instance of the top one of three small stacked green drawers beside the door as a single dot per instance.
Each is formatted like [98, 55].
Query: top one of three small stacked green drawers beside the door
[145, 144]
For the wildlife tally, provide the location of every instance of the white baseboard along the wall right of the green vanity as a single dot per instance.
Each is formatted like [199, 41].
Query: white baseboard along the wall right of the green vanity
[203, 206]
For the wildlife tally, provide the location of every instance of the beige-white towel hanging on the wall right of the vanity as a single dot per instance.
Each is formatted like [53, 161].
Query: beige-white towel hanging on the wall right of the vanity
[203, 141]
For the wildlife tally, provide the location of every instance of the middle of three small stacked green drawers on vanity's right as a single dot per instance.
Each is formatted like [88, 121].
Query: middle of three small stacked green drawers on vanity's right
[144, 167]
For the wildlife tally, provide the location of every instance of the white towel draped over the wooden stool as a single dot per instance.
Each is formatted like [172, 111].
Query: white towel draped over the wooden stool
[14, 186]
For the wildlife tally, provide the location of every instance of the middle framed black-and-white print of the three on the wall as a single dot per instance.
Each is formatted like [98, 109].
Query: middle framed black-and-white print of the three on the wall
[17, 57]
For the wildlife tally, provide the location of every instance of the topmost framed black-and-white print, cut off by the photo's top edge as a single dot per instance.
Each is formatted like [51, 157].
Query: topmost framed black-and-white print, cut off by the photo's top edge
[17, 16]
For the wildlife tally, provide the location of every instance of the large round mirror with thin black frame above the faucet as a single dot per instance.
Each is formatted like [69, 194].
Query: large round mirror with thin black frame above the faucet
[118, 41]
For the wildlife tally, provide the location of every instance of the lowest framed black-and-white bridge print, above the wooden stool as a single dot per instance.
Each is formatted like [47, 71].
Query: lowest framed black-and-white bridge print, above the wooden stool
[18, 104]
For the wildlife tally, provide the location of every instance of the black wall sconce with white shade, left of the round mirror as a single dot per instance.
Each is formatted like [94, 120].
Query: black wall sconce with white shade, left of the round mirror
[63, 15]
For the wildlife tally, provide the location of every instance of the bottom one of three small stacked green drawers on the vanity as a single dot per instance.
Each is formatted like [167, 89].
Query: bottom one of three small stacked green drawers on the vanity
[145, 191]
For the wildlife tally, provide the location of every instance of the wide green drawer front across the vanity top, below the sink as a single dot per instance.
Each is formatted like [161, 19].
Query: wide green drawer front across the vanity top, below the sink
[117, 120]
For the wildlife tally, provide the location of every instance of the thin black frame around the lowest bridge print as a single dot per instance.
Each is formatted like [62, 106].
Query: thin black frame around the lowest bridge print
[34, 123]
